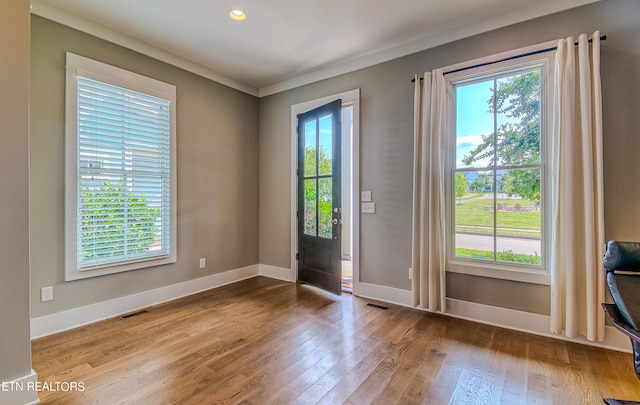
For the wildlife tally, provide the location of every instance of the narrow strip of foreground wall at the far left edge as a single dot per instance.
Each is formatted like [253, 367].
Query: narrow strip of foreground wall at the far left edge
[15, 346]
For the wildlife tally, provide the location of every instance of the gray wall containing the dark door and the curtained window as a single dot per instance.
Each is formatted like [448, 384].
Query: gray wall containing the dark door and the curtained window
[386, 147]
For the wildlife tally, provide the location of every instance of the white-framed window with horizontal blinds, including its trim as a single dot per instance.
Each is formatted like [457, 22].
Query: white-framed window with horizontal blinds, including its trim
[120, 170]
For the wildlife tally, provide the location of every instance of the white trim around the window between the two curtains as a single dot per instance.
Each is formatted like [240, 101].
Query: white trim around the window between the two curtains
[507, 271]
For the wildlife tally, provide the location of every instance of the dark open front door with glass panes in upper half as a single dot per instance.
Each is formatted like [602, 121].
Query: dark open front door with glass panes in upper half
[319, 223]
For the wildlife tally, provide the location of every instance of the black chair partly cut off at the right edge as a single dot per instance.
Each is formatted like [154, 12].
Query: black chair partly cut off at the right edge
[622, 266]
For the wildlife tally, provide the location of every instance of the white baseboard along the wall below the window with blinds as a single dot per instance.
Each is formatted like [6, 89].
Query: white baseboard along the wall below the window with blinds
[73, 318]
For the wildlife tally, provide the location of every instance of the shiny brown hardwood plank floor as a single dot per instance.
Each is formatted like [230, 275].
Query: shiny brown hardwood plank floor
[263, 341]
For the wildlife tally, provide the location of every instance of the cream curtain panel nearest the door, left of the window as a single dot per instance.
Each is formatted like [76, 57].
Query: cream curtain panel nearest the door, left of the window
[431, 120]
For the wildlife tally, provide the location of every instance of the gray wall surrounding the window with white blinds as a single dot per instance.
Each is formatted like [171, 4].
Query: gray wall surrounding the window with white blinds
[217, 159]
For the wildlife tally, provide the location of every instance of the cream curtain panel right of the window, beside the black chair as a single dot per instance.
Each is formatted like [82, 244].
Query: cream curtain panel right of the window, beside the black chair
[577, 231]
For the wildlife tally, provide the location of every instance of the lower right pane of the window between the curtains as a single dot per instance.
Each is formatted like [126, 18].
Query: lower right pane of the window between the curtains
[519, 217]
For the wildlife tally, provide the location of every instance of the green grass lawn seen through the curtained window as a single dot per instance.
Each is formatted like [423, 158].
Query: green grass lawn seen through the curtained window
[472, 215]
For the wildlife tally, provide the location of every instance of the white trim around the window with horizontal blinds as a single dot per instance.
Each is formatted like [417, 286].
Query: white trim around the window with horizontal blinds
[79, 65]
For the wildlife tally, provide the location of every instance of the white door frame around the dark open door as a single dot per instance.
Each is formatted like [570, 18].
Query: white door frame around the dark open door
[349, 97]
